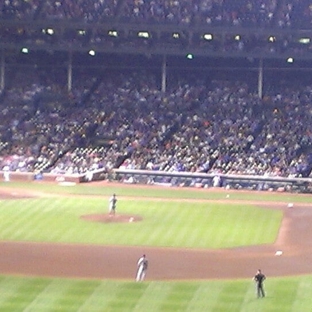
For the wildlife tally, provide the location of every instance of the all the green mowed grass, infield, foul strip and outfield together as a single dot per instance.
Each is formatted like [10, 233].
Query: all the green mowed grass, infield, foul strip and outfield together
[216, 224]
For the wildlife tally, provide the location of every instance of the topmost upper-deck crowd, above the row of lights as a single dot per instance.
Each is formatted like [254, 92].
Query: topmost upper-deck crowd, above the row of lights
[246, 13]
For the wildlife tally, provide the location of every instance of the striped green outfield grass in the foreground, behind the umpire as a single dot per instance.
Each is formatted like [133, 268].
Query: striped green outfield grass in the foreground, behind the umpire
[68, 295]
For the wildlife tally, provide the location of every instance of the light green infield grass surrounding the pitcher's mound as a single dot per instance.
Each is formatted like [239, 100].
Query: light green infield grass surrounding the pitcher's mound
[165, 223]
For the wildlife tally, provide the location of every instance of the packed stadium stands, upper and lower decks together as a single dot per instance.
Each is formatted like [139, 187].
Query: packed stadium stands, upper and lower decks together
[121, 118]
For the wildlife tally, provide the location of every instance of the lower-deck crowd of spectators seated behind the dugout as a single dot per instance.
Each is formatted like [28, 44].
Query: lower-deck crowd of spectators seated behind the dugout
[123, 120]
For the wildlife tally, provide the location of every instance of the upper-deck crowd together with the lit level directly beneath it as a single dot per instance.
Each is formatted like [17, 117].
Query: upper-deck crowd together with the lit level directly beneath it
[278, 15]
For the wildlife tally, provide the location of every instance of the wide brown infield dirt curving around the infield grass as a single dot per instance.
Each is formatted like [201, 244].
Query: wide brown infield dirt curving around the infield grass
[115, 262]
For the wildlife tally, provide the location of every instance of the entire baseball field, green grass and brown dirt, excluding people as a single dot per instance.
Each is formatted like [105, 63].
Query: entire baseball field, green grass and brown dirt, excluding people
[61, 251]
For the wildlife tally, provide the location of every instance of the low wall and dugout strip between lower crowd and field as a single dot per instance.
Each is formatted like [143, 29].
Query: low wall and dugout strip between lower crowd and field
[182, 179]
